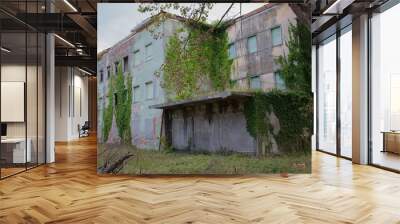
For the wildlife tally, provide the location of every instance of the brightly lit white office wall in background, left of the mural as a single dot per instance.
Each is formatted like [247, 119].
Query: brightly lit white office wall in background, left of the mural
[71, 93]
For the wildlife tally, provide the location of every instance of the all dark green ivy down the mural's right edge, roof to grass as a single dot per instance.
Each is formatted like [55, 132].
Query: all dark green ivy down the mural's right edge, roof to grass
[292, 107]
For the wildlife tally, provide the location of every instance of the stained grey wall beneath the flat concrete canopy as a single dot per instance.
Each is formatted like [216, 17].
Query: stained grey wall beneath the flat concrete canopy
[211, 127]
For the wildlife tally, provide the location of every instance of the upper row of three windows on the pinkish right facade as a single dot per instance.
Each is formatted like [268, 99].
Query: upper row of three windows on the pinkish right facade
[276, 37]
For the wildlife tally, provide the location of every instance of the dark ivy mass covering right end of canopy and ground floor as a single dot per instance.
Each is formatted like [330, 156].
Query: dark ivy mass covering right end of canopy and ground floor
[294, 111]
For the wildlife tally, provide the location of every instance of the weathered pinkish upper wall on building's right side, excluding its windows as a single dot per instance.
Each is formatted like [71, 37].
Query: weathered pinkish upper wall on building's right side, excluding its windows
[262, 62]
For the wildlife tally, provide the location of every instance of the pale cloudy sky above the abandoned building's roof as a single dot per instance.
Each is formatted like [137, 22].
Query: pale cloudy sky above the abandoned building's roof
[116, 20]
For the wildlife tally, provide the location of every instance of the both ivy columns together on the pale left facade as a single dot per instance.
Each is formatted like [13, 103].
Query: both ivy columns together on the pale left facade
[119, 104]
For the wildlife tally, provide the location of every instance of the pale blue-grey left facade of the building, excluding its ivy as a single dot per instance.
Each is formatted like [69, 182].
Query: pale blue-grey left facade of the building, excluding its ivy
[145, 55]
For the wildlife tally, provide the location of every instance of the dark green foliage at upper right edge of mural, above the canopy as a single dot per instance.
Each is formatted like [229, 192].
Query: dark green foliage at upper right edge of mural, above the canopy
[296, 65]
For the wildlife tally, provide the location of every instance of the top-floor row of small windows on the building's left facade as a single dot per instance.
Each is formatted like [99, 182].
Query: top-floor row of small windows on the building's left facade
[137, 61]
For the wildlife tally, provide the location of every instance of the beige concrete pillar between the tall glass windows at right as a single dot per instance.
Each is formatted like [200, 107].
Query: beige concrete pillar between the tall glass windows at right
[360, 90]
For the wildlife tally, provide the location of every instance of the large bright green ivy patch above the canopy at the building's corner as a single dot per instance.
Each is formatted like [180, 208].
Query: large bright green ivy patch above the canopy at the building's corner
[198, 63]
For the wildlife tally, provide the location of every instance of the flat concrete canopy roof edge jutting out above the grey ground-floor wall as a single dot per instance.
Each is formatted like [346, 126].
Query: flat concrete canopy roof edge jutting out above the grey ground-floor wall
[204, 99]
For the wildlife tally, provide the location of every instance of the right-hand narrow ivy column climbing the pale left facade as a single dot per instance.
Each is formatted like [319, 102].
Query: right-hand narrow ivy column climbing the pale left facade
[123, 103]
